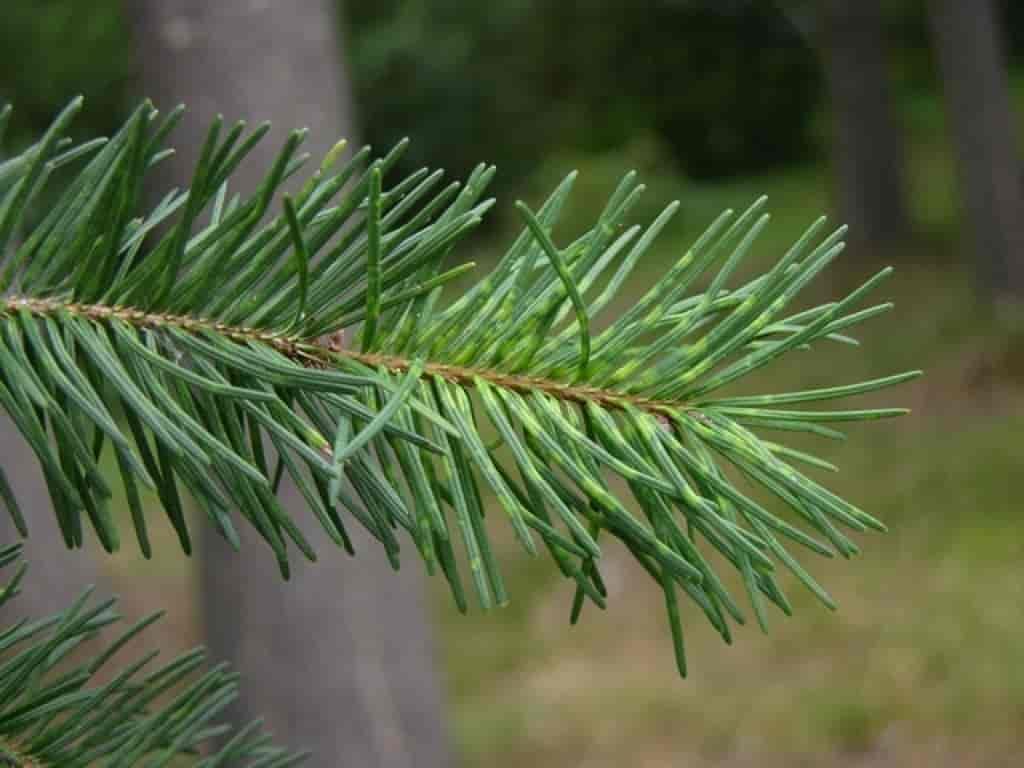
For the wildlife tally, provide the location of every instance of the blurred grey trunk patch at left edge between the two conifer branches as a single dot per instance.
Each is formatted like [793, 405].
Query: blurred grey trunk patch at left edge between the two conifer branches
[57, 576]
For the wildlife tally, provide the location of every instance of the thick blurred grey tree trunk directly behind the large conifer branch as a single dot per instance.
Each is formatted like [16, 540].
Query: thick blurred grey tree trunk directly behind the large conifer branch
[339, 660]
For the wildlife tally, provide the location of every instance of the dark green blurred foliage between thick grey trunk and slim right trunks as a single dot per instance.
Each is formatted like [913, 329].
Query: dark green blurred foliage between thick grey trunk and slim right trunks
[730, 88]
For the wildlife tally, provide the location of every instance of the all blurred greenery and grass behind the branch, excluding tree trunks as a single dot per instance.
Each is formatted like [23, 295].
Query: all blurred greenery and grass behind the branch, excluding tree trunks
[923, 664]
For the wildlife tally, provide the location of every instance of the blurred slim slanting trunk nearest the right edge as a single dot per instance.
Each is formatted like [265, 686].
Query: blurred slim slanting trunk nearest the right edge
[973, 65]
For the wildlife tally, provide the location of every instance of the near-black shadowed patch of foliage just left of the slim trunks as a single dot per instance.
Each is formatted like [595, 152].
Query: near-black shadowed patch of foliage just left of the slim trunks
[733, 88]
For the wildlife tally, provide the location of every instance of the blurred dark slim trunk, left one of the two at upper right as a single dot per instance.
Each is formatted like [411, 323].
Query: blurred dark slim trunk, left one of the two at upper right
[867, 140]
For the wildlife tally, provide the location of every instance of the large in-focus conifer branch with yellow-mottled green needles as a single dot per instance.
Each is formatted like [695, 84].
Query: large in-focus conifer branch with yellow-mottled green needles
[214, 348]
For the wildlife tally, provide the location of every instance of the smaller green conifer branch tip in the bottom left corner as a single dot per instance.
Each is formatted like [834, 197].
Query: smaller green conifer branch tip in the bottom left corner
[61, 709]
